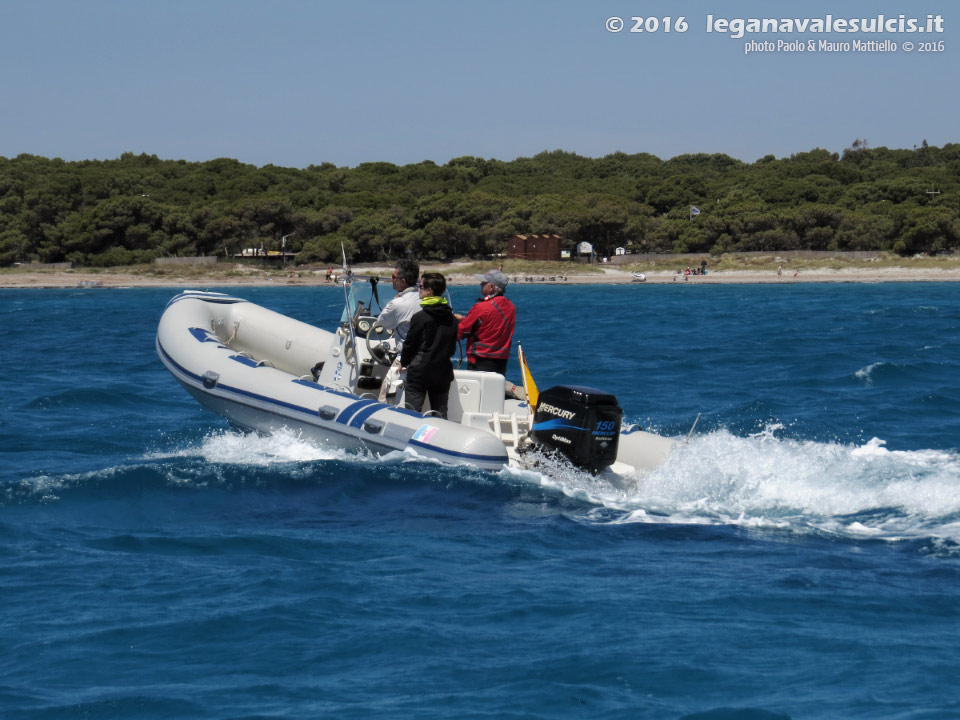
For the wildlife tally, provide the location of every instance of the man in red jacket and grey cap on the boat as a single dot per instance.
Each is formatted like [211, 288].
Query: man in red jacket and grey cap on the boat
[489, 325]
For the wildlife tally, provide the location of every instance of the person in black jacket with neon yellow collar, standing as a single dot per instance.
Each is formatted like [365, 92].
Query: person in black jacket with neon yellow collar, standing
[430, 342]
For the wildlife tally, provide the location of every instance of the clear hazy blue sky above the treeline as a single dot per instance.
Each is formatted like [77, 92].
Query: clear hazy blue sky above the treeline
[301, 82]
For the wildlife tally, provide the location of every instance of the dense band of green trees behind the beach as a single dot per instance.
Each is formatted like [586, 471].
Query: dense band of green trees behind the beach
[138, 207]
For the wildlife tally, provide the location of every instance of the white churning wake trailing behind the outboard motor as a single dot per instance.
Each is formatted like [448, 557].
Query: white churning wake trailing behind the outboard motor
[765, 481]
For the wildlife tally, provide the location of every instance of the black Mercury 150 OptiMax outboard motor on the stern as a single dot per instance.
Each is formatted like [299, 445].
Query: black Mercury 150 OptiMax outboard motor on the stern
[581, 423]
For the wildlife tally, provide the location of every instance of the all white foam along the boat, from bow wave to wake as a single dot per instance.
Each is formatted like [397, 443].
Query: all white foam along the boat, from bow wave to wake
[717, 478]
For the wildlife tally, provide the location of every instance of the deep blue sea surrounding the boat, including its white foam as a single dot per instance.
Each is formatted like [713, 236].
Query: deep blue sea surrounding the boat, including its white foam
[798, 558]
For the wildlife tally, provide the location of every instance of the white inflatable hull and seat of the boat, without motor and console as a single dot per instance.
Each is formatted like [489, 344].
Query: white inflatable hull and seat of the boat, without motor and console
[256, 367]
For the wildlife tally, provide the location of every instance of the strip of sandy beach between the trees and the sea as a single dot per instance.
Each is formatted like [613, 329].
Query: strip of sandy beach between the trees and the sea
[62, 279]
